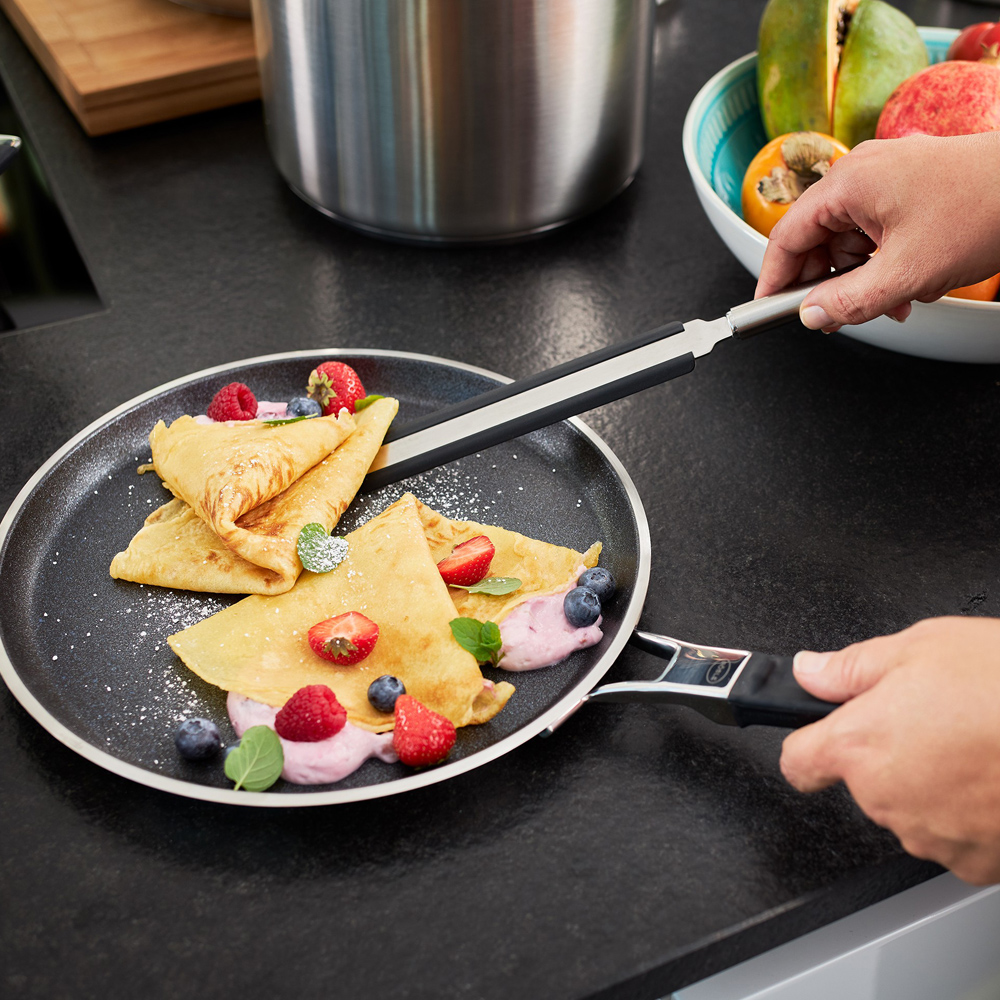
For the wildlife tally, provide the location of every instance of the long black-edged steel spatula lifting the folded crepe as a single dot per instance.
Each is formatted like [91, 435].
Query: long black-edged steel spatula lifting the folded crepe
[571, 388]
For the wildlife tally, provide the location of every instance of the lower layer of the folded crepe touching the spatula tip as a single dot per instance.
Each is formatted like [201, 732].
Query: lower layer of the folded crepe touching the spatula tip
[176, 548]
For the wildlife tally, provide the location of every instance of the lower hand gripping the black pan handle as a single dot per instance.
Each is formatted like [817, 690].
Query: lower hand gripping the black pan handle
[917, 741]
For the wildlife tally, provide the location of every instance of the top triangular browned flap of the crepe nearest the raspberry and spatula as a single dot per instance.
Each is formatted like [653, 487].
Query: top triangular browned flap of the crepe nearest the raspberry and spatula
[224, 470]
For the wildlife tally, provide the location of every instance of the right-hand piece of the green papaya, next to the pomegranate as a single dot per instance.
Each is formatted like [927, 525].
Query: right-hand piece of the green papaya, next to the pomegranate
[882, 49]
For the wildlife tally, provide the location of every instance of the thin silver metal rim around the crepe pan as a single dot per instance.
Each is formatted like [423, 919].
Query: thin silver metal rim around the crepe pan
[228, 796]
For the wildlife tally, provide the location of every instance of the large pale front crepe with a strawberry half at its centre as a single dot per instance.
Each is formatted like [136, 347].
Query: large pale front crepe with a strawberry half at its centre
[259, 646]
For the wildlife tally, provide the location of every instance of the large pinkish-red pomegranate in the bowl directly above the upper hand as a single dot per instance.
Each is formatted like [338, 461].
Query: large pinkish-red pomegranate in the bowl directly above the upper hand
[951, 98]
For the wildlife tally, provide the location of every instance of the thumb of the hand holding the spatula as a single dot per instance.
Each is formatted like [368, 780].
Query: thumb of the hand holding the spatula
[857, 296]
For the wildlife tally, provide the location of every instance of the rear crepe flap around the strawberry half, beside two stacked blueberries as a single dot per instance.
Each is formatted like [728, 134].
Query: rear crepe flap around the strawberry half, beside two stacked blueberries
[541, 567]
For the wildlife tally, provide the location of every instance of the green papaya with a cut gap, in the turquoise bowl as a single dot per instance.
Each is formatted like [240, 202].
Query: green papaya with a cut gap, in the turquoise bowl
[829, 66]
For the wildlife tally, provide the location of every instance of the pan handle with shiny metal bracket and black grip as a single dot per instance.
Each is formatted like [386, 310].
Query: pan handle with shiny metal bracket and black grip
[732, 686]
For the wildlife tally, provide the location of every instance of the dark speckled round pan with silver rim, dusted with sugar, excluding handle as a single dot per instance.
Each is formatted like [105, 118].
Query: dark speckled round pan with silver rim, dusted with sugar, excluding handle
[87, 656]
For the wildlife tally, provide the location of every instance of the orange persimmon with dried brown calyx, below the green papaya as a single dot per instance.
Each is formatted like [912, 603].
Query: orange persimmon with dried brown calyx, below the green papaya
[781, 171]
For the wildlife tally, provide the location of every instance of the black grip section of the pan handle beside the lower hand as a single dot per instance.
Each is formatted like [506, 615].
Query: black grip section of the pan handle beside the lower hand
[766, 693]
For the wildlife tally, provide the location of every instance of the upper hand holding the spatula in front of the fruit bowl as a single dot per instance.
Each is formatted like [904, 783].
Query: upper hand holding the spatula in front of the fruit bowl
[930, 205]
